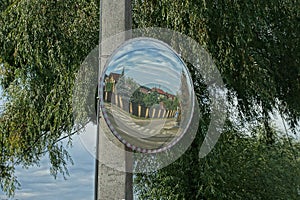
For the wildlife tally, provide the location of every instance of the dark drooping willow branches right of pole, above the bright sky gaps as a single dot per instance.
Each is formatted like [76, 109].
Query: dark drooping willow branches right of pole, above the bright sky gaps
[254, 44]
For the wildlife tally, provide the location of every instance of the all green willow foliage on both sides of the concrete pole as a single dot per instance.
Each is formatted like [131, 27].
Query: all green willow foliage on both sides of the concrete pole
[255, 45]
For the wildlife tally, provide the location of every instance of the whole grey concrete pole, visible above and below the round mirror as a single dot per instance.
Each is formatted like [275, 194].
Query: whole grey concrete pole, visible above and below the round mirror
[113, 183]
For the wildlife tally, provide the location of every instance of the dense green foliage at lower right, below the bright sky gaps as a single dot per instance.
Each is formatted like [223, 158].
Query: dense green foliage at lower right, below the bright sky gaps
[239, 167]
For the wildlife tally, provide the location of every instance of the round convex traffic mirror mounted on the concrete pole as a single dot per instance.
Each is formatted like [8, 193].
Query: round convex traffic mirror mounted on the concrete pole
[146, 95]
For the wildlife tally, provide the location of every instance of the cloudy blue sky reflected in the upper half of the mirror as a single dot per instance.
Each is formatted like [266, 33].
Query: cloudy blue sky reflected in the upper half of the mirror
[149, 63]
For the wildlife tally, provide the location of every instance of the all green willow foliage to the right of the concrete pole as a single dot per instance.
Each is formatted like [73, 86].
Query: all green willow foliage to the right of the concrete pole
[255, 45]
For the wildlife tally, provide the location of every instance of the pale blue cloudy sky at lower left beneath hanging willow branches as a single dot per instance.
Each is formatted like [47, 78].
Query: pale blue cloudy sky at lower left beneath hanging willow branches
[37, 183]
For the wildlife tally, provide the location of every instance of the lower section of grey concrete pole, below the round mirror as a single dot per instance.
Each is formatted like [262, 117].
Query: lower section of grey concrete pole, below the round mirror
[113, 182]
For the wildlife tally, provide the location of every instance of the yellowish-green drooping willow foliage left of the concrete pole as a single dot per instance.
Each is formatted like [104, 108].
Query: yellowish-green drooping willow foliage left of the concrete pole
[42, 46]
